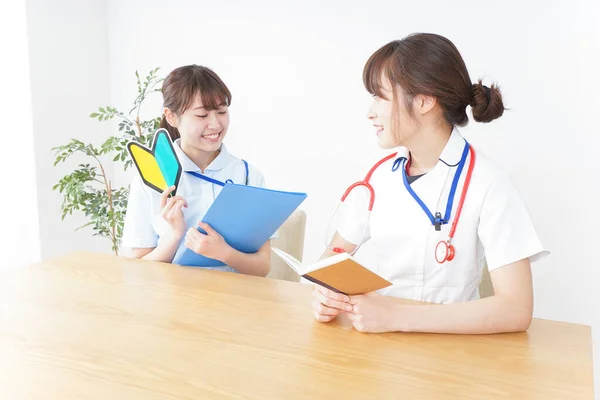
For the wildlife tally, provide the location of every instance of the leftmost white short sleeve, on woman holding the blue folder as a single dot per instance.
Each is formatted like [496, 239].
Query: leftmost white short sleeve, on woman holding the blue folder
[138, 231]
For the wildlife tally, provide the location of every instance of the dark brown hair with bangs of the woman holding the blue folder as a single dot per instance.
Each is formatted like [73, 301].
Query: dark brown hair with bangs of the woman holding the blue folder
[182, 85]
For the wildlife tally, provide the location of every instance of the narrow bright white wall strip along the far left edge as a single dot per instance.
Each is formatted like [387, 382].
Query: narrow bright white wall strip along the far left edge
[20, 244]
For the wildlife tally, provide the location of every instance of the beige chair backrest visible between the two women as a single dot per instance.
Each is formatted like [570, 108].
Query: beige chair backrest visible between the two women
[290, 238]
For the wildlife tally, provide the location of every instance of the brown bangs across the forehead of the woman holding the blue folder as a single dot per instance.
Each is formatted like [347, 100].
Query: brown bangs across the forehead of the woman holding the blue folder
[213, 92]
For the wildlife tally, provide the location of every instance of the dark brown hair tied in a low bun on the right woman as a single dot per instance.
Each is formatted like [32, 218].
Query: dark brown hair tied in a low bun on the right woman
[429, 64]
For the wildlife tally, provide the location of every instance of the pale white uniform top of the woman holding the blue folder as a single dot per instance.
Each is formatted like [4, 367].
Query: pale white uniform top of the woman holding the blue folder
[143, 223]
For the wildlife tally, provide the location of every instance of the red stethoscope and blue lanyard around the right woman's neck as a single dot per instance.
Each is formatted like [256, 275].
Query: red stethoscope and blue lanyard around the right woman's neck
[444, 251]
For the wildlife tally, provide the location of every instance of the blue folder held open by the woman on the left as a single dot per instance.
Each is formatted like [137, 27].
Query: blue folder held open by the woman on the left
[246, 217]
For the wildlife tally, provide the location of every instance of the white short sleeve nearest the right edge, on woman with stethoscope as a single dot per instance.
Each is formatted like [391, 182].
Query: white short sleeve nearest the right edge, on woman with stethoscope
[505, 227]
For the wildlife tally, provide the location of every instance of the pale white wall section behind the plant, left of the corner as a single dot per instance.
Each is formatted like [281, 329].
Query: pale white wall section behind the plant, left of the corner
[68, 42]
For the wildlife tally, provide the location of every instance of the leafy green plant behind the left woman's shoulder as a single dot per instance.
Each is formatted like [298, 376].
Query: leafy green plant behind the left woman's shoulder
[88, 188]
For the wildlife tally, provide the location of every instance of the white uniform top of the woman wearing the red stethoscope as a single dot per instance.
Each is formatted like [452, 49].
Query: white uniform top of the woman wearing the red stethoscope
[494, 226]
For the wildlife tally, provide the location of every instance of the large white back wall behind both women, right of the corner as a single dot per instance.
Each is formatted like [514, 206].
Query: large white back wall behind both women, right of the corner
[299, 105]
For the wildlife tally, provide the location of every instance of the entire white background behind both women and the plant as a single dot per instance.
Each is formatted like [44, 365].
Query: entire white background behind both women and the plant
[299, 106]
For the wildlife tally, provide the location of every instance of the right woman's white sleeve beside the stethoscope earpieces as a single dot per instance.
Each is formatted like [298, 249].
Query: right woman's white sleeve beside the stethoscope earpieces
[351, 221]
